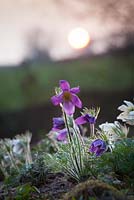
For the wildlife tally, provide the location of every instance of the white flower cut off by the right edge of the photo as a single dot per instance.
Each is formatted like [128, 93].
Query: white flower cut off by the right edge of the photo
[127, 114]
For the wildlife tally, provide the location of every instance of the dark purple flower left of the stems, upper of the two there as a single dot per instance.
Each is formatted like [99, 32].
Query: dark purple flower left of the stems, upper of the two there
[58, 123]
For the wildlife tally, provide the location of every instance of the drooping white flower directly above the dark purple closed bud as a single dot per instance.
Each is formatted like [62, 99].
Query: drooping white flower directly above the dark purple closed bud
[114, 131]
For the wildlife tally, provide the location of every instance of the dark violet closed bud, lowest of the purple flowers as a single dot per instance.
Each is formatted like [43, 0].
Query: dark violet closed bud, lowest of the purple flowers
[98, 147]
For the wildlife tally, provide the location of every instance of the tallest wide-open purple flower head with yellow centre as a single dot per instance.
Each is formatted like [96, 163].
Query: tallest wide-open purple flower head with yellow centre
[67, 97]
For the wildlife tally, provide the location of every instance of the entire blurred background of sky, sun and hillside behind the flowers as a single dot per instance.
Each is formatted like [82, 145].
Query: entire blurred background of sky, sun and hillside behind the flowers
[89, 43]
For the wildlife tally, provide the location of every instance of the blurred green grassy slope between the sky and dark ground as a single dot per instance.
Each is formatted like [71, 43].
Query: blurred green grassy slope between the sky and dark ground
[29, 85]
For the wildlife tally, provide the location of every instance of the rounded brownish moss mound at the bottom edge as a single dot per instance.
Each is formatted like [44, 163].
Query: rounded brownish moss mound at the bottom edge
[94, 189]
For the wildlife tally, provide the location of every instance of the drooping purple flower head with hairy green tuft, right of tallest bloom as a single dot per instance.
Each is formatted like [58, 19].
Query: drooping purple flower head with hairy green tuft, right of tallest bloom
[88, 116]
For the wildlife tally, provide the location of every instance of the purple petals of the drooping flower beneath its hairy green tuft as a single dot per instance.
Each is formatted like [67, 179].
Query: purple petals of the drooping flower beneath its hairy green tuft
[87, 118]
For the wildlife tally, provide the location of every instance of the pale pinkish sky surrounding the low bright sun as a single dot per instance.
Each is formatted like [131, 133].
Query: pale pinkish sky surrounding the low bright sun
[53, 20]
